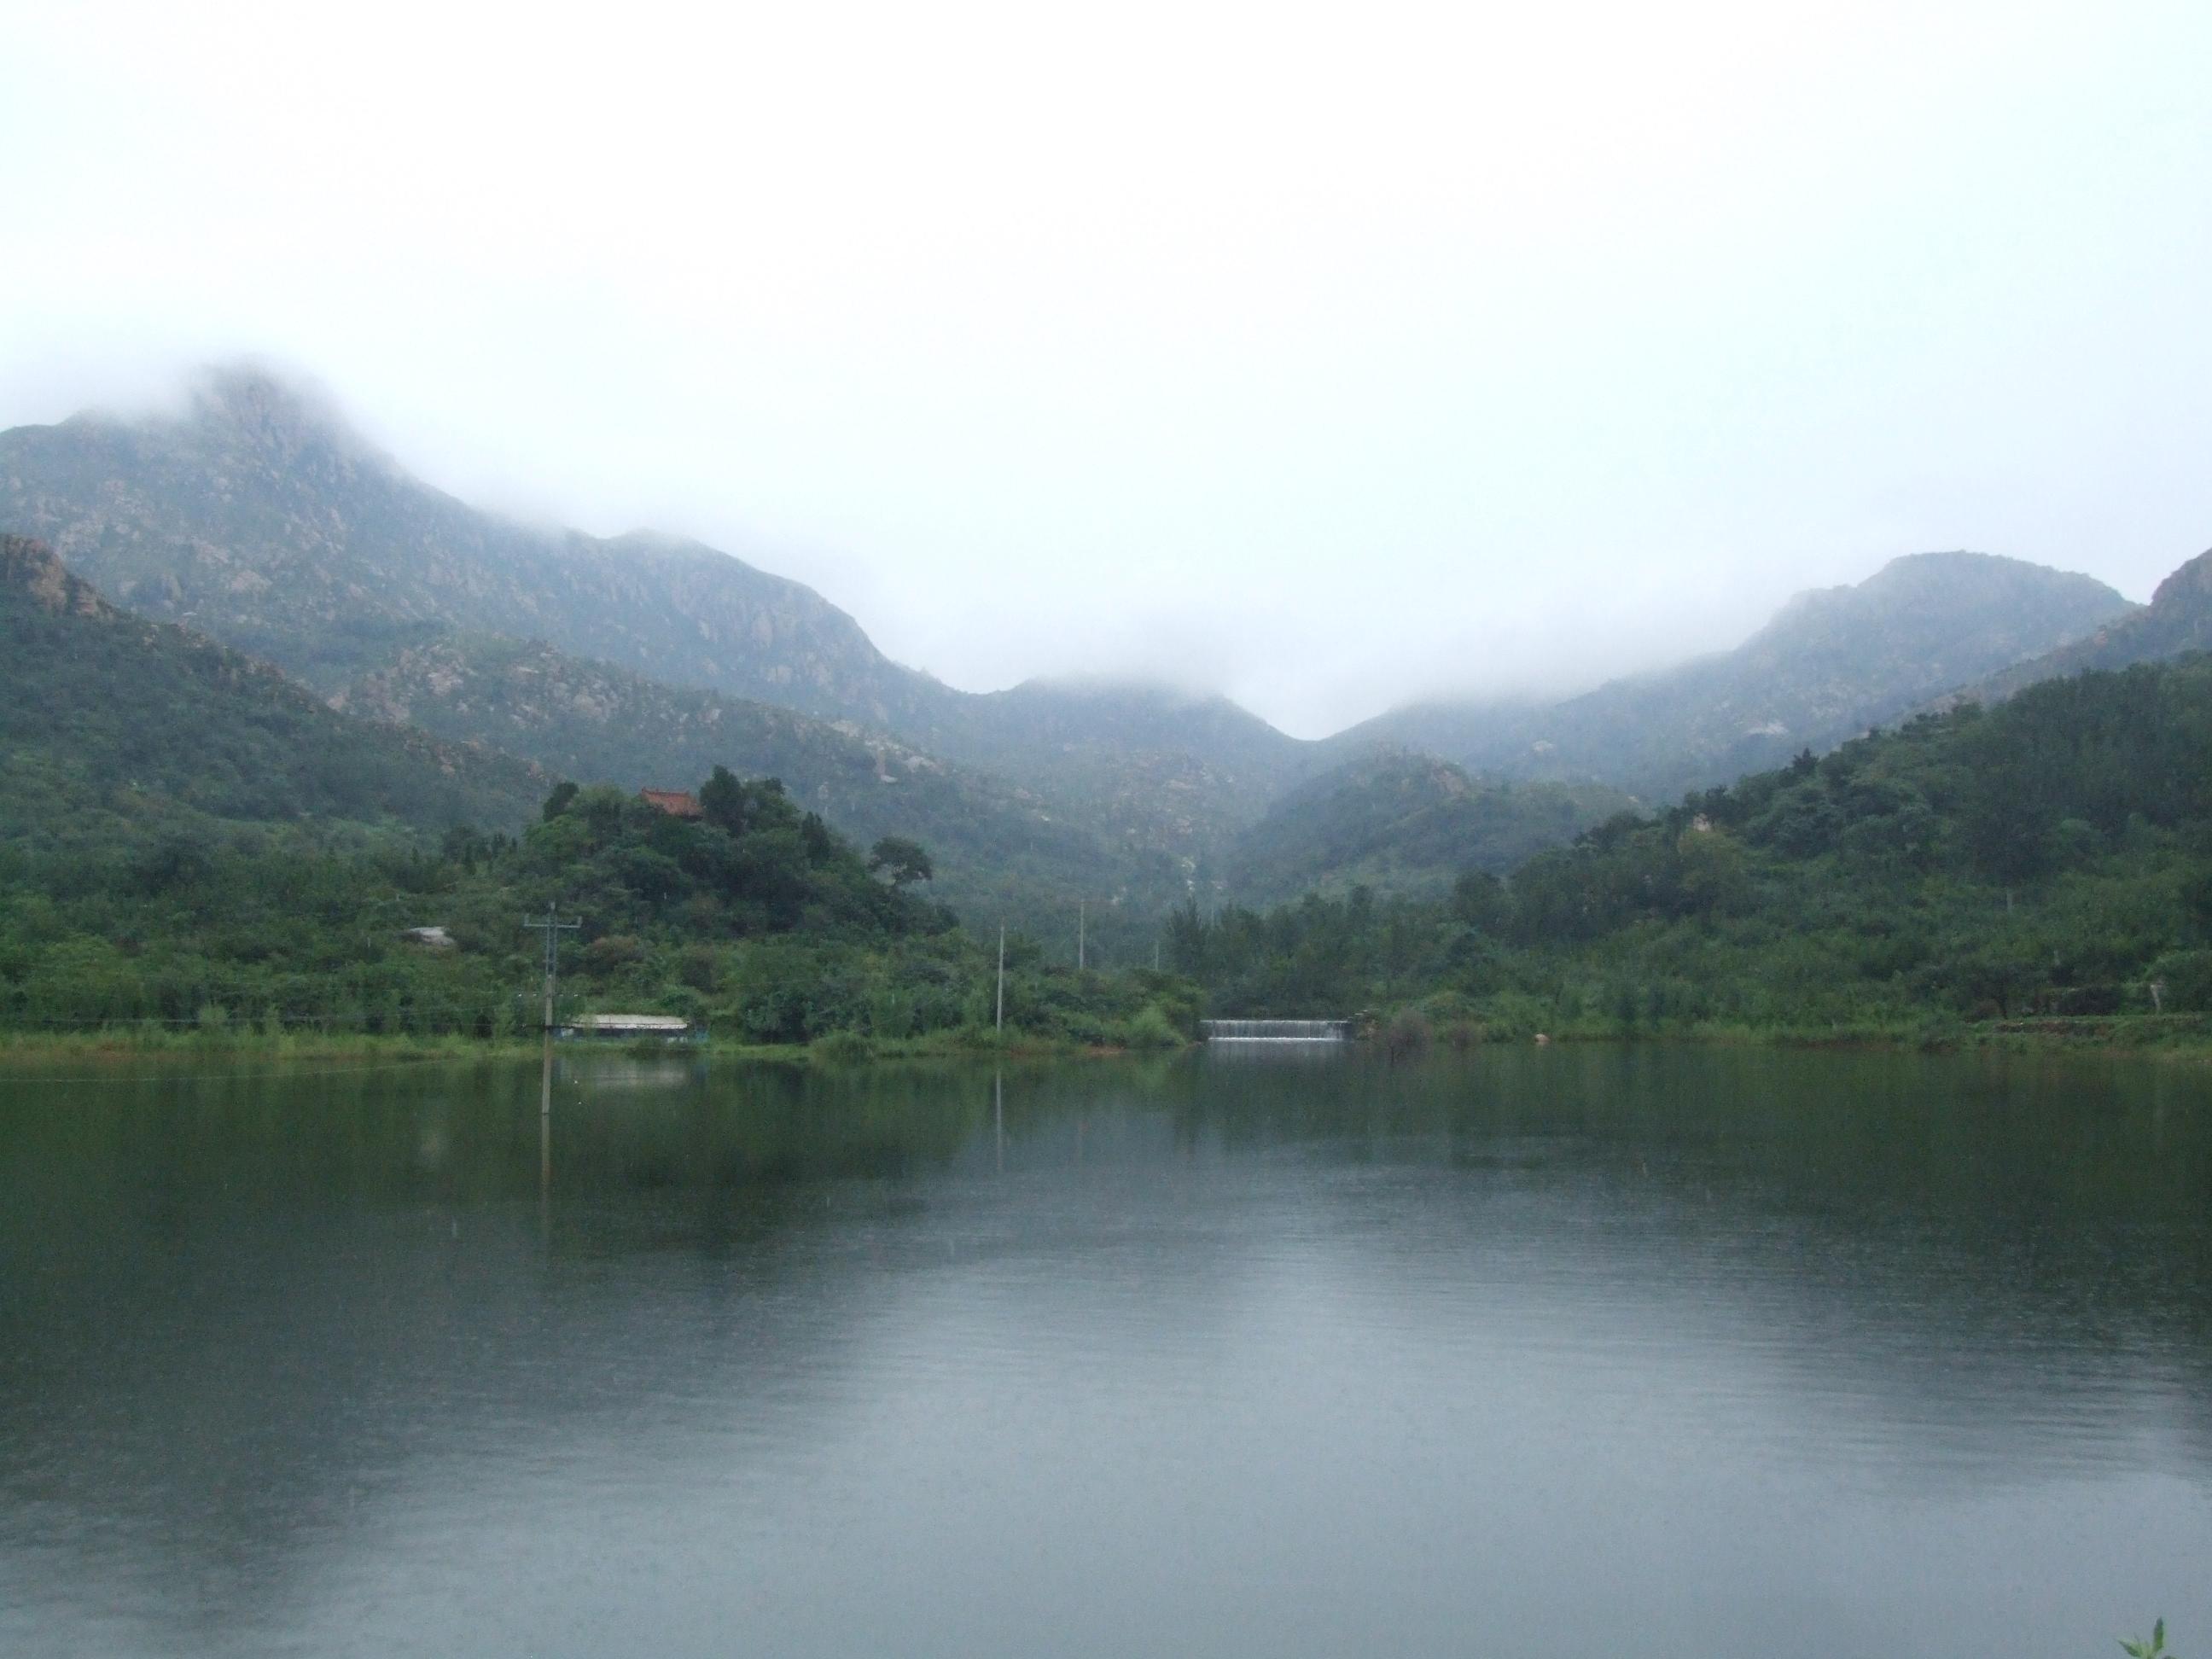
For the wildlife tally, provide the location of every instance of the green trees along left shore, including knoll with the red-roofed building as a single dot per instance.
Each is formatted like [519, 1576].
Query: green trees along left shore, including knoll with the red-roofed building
[755, 919]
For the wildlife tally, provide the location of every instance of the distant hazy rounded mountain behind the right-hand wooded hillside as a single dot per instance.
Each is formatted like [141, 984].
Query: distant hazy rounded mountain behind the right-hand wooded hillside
[1828, 667]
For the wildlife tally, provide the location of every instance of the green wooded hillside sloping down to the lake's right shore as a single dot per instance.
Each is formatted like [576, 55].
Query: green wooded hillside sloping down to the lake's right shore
[2045, 857]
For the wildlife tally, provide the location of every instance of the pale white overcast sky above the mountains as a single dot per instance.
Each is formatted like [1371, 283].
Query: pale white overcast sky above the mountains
[1324, 355]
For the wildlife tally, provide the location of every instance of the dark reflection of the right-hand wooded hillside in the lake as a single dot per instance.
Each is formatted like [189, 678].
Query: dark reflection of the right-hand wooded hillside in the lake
[1965, 1244]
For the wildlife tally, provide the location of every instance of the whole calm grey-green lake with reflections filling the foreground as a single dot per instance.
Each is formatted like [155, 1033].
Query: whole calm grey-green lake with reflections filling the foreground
[1574, 1350]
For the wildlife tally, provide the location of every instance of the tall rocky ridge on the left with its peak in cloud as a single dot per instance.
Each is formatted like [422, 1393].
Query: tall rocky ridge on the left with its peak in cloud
[267, 523]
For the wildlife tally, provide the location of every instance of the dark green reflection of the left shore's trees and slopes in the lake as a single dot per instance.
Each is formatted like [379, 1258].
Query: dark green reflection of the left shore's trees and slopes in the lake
[238, 1313]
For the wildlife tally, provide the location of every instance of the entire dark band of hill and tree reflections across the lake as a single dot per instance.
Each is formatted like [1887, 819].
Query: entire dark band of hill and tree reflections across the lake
[238, 1315]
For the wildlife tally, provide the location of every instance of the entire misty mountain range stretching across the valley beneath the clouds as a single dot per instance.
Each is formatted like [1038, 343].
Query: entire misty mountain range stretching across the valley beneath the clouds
[262, 521]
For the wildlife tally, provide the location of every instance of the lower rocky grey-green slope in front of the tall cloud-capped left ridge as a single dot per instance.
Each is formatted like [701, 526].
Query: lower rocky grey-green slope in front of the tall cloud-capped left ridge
[997, 848]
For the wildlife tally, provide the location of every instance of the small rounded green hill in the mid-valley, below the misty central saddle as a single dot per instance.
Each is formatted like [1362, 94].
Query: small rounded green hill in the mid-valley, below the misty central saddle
[1401, 822]
